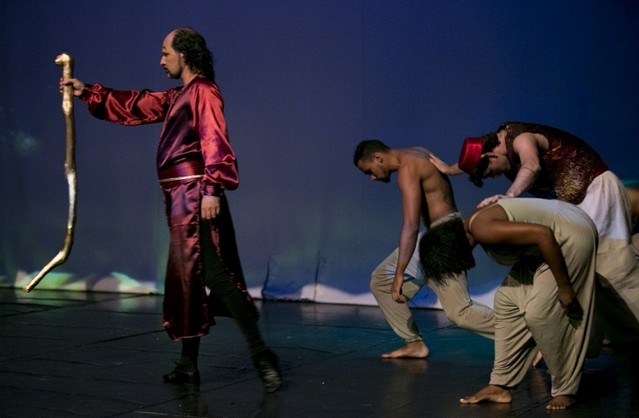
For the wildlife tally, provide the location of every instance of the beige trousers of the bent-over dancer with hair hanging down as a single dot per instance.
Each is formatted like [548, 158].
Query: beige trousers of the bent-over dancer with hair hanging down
[529, 318]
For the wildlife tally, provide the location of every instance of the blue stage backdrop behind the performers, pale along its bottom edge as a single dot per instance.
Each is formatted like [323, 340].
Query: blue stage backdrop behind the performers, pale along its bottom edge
[304, 81]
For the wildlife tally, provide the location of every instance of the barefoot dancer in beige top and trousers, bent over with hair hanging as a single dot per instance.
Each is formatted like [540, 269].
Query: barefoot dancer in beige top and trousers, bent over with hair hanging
[545, 303]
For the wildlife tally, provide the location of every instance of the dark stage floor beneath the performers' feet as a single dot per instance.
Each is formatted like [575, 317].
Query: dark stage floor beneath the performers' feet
[72, 354]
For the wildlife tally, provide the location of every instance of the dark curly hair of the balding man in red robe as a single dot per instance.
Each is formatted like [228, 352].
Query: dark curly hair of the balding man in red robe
[196, 54]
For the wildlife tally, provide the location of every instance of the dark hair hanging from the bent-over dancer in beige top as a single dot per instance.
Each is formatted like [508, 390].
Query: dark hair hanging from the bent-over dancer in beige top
[445, 251]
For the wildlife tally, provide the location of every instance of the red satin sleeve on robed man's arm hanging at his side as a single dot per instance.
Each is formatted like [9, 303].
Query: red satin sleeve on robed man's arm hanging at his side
[220, 165]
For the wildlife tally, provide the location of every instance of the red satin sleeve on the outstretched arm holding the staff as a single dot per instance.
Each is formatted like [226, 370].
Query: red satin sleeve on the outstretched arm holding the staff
[126, 107]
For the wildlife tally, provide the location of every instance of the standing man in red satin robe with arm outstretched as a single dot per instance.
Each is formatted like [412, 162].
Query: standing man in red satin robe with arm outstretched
[196, 166]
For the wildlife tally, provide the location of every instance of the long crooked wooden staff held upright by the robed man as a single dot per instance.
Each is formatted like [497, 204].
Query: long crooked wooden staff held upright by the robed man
[66, 61]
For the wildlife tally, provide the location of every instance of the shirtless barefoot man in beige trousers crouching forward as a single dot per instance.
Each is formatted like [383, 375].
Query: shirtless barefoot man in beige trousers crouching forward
[426, 195]
